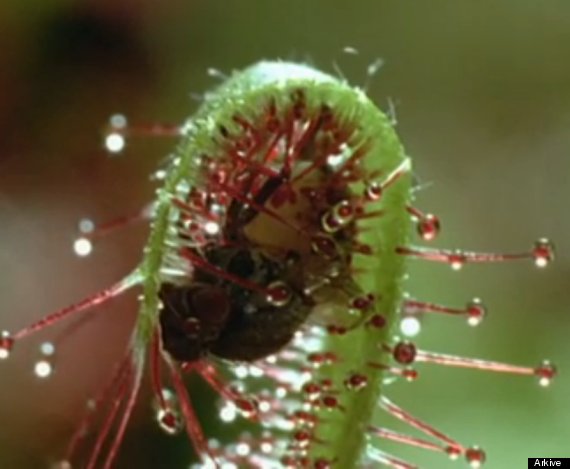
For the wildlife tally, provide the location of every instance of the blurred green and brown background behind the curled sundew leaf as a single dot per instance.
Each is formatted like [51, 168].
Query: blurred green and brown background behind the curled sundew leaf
[482, 96]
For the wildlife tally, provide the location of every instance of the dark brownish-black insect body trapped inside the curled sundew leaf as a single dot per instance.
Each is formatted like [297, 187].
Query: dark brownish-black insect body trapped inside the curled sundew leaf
[215, 316]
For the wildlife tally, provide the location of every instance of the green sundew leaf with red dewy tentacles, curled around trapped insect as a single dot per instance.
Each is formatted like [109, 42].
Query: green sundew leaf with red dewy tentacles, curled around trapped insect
[274, 270]
